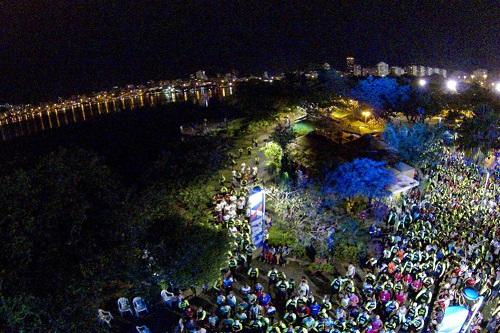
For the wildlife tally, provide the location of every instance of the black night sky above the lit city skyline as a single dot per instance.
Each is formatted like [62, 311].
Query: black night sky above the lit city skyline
[56, 48]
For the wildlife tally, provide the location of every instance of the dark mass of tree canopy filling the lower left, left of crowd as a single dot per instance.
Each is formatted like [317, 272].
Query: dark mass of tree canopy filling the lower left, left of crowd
[71, 241]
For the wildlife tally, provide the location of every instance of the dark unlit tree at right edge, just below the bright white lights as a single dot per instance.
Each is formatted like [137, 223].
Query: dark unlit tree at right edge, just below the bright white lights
[480, 133]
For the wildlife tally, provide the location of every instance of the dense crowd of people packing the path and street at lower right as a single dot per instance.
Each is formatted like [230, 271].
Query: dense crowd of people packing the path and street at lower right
[435, 243]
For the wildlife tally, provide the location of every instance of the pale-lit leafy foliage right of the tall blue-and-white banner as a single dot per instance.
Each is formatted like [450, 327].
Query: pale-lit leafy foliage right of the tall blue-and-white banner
[307, 219]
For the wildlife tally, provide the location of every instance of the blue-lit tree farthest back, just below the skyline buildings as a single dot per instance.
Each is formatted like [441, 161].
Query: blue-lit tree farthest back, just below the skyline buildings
[384, 95]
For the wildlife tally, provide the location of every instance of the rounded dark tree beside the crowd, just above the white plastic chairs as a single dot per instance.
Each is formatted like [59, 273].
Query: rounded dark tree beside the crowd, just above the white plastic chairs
[179, 251]
